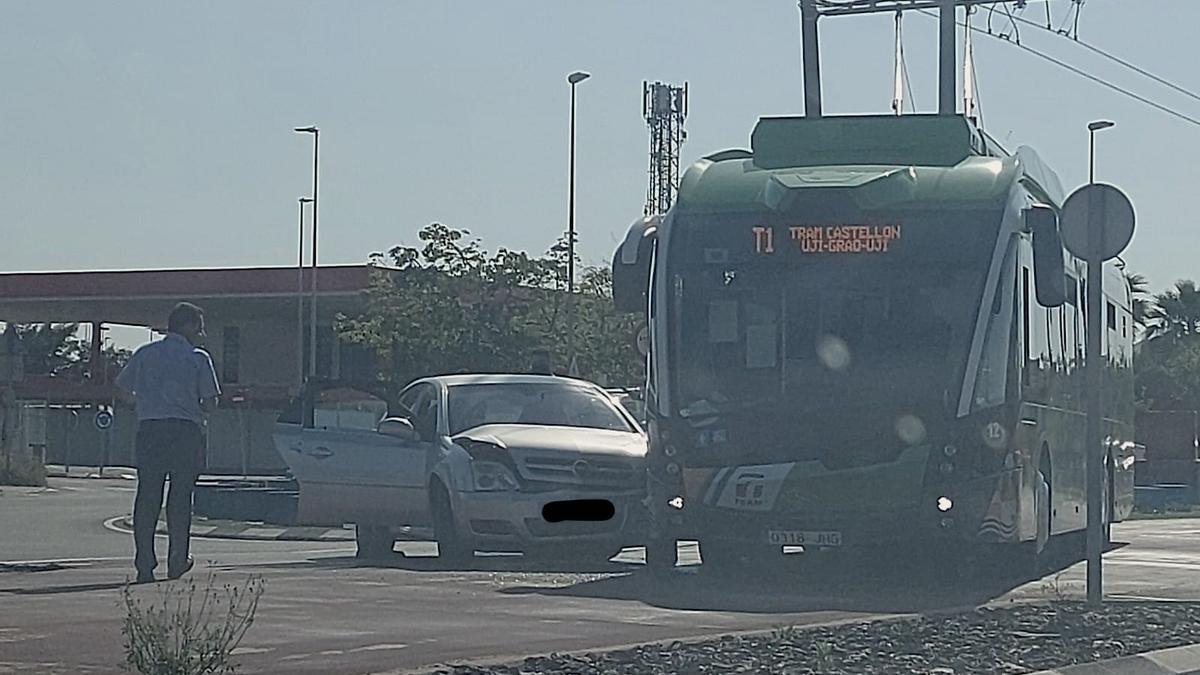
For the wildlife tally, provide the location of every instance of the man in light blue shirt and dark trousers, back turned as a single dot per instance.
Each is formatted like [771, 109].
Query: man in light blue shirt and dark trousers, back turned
[173, 385]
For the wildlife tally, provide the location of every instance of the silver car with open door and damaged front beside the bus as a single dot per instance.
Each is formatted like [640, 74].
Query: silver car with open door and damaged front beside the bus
[538, 464]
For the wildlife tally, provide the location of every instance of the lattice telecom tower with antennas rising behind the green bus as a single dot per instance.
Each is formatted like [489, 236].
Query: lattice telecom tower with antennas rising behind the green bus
[665, 107]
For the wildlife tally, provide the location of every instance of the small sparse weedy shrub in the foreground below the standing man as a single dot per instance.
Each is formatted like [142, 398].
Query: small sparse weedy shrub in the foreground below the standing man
[185, 629]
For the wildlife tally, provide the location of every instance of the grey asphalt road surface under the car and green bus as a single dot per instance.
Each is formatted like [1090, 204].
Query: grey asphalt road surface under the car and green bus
[326, 613]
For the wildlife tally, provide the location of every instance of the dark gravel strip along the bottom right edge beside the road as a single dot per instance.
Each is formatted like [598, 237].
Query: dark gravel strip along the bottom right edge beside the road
[1019, 638]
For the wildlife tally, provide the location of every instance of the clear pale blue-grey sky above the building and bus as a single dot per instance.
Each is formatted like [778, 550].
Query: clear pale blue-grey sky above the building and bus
[159, 134]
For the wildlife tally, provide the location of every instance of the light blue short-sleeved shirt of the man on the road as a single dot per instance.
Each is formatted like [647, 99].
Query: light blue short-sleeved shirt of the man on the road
[169, 379]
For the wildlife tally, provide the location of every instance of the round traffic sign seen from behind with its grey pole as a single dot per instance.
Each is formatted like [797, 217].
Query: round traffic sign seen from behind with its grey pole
[1097, 225]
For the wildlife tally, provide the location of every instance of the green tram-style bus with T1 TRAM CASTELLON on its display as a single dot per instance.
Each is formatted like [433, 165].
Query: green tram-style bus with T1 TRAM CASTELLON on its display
[866, 333]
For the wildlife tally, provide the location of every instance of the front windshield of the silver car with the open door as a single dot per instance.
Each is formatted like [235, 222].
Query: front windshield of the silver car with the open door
[543, 405]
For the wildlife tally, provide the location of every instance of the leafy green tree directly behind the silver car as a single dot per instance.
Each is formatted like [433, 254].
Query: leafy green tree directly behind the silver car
[452, 306]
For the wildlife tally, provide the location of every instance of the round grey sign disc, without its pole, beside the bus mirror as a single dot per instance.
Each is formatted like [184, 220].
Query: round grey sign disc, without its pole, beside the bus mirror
[1097, 214]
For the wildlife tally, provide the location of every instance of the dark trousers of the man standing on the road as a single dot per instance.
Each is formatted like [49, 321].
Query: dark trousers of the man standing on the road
[166, 449]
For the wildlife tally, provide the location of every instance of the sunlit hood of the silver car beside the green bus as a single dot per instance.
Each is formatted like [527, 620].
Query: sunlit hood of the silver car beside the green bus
[574, 440]
